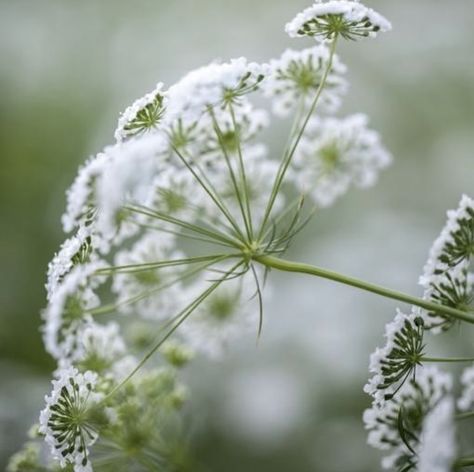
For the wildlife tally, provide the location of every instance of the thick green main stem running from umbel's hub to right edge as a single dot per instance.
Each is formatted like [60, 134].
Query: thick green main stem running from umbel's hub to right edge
[287, 266]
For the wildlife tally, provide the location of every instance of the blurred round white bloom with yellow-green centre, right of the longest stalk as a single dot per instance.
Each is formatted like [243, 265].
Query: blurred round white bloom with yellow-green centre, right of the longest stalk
[335, 154]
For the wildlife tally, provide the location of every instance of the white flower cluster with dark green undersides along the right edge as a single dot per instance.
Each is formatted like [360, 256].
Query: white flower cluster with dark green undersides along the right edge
[413, 412]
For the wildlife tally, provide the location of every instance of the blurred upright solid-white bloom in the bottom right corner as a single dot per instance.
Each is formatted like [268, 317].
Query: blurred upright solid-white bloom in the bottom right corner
[438, 439]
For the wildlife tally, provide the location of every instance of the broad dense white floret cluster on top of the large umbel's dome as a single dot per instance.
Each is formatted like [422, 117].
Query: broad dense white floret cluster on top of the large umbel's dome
[212, 85]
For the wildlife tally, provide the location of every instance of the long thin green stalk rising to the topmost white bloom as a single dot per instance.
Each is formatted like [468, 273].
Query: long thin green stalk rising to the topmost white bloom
[289, 156]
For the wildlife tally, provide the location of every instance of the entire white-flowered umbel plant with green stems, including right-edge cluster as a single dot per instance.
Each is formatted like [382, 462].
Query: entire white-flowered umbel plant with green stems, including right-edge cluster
[174, 230]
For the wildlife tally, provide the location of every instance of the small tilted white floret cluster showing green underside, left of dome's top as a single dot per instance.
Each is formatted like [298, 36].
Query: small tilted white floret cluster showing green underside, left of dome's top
[144, 115]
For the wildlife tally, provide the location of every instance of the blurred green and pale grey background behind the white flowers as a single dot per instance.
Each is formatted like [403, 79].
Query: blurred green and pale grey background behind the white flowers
[294, 402]
